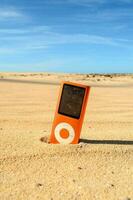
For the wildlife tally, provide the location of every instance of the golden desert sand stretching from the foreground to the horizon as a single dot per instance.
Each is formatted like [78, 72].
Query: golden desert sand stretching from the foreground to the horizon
[99, 167]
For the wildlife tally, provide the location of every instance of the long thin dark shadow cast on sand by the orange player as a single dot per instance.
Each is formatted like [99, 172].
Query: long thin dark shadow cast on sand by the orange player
[117, 142]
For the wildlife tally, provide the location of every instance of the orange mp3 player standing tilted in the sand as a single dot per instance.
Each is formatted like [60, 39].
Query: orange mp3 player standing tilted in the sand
[69, 113]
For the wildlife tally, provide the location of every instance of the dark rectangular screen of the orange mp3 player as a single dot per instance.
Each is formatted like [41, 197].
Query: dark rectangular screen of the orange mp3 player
[71, 101]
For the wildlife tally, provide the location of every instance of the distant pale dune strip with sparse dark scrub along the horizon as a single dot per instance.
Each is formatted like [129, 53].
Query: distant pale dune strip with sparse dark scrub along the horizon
[56, 78]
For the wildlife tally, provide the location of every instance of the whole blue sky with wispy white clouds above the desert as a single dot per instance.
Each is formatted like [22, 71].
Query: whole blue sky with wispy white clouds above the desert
[82, 36]
